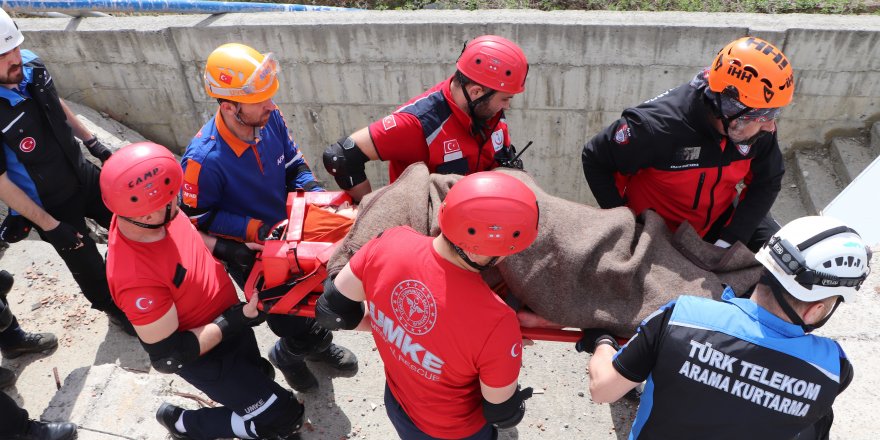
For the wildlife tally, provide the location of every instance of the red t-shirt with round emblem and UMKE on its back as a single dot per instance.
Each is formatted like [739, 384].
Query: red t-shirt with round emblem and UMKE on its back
[439, 329]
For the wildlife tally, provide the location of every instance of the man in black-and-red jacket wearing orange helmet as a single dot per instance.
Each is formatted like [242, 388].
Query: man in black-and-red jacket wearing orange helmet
[684, 152]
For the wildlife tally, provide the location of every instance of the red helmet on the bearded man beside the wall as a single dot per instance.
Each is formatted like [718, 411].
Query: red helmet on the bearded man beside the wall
[496, 63]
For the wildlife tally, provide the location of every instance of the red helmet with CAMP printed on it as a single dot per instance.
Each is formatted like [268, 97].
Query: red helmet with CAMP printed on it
[139, 179]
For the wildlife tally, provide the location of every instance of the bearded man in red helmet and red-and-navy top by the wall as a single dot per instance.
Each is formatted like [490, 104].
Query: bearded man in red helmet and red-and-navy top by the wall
[456, 127]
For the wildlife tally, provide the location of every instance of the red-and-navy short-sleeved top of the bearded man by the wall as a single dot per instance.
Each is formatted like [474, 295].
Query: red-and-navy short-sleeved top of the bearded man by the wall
[430, 128]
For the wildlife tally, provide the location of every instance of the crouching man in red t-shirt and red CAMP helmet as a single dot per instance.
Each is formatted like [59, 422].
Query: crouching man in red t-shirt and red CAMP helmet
[184, 307]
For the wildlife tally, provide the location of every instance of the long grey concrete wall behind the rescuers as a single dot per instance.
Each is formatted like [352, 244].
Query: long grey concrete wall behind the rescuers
[344, 70]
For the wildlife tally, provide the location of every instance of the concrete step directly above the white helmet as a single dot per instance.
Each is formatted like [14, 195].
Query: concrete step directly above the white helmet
[816, 179]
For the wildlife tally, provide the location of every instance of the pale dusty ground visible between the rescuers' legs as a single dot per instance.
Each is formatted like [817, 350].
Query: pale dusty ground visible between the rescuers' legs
[109, 389]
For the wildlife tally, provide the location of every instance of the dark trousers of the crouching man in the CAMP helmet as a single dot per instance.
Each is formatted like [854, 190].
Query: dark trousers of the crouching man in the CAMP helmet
[232, 374]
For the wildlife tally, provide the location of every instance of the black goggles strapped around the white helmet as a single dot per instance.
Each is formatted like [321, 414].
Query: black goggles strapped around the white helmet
[789, 257]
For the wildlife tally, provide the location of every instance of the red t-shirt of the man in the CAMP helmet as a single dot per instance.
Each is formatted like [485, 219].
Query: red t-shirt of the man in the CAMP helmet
[147, 278]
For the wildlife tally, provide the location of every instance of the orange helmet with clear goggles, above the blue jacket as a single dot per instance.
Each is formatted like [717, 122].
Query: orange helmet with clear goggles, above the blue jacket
[239, 73]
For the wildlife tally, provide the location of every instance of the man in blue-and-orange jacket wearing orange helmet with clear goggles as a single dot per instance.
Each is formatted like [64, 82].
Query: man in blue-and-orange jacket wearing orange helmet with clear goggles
[237, 172]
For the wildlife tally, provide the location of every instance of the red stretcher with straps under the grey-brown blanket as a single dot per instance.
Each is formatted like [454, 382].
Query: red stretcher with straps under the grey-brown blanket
[289, 273]
